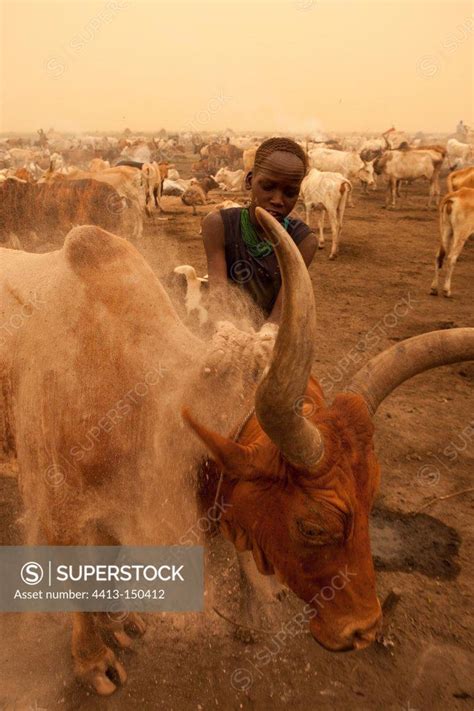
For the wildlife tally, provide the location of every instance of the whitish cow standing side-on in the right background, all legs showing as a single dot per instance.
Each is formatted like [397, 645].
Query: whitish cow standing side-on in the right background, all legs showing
[410, 165]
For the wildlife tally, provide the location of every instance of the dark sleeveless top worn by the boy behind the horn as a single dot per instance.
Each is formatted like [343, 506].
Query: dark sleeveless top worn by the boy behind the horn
[260, 278]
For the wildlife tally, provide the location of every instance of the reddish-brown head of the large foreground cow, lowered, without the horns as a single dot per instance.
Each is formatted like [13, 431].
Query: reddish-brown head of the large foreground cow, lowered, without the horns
[309, 527]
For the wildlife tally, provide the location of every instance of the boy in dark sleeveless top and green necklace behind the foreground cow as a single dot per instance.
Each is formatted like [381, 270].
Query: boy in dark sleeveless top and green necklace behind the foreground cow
[235, 244]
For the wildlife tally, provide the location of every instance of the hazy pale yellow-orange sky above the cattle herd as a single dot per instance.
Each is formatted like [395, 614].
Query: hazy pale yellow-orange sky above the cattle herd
[268, 65]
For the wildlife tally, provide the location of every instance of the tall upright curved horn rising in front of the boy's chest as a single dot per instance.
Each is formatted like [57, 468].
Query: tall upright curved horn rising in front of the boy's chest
[280, 394]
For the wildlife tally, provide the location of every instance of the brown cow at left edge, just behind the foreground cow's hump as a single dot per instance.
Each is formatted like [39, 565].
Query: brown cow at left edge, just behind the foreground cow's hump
[51, 209]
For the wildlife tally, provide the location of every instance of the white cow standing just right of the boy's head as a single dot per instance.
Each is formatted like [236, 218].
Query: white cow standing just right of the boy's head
[328, 191]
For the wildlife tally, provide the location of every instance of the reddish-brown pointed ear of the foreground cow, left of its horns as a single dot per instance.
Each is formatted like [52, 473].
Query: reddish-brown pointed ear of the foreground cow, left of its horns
[235, 459]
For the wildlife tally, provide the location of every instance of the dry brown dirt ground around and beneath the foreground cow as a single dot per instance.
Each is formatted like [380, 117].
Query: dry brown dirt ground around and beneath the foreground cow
[375, 294]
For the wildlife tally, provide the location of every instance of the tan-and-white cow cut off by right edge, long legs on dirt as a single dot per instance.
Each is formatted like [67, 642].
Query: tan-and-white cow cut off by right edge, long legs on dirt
[456, 221]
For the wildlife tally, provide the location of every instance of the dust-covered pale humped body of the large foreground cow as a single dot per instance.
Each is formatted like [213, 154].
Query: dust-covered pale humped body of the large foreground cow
[102, 446]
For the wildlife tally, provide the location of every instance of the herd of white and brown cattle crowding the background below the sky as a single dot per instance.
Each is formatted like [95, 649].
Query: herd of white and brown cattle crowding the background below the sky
[54, 183]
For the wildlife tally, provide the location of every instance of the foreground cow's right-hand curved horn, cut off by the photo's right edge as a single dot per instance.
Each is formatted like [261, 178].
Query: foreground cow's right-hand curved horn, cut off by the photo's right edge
[382, 374]
